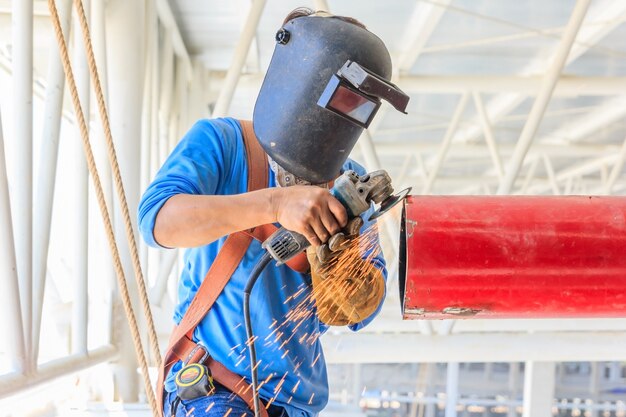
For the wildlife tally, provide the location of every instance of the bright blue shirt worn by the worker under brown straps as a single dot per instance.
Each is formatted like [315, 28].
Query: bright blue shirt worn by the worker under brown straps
[211, 160]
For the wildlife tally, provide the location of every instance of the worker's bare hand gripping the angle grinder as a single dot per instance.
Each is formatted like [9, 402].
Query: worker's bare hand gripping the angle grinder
[311, 211]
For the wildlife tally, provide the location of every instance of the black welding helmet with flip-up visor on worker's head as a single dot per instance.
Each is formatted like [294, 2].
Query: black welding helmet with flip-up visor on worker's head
[323, 87]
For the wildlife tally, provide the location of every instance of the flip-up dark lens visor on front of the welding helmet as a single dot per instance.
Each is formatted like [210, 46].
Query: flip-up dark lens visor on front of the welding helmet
[355, 94]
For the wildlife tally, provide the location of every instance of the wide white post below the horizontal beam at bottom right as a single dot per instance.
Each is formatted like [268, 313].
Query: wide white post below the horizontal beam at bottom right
[538, 389]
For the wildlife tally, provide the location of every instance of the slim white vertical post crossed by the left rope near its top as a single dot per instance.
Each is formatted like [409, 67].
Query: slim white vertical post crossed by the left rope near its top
[80, 192]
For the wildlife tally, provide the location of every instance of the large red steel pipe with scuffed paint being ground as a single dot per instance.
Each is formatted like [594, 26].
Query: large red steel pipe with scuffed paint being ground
[513, 257]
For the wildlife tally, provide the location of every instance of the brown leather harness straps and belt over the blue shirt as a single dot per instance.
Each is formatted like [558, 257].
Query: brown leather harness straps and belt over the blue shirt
[181, 346]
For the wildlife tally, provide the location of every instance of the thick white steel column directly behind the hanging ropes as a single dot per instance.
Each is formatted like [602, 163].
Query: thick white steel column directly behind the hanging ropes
[125, 43]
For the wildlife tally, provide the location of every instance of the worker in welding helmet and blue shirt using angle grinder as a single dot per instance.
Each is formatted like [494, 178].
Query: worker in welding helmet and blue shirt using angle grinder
[202, 196]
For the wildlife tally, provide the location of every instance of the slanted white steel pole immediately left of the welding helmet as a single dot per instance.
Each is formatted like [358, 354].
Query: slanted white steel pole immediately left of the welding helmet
[241, 52]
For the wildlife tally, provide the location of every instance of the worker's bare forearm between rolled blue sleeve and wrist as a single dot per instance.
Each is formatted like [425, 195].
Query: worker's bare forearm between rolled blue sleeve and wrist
[194, 220]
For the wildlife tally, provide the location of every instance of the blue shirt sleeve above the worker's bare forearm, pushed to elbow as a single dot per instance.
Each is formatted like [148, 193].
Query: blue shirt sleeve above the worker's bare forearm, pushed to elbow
[197, 165]
